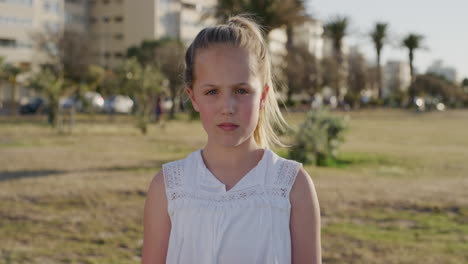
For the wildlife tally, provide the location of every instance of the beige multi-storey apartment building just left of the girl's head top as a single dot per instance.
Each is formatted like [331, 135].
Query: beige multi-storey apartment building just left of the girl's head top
[115, 25]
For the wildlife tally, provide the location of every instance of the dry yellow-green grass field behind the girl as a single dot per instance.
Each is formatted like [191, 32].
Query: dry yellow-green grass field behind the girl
[399, 196]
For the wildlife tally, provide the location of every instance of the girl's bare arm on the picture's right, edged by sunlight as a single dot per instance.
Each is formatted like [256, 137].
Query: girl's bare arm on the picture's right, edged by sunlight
[305, 221]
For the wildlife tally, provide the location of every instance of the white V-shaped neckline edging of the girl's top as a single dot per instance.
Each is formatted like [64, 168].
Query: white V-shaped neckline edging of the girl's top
[212, 183]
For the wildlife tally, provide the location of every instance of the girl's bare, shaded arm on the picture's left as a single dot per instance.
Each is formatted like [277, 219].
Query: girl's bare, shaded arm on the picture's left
[157, 224]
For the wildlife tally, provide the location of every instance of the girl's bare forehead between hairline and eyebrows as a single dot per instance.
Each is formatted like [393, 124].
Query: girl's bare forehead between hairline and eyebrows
[223, 64]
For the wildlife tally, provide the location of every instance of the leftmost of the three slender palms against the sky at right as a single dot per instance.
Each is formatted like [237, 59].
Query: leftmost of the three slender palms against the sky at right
[336, 29]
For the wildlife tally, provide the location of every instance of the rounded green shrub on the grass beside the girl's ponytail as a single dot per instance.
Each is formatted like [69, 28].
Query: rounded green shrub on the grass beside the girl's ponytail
[318, 138]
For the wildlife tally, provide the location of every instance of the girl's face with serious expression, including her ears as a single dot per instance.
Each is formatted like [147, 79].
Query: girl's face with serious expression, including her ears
[227, 94]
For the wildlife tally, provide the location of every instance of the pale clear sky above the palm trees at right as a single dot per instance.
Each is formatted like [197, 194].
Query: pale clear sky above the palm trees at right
[444, 25]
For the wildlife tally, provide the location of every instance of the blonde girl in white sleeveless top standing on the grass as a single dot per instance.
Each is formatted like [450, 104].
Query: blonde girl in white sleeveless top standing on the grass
[235, 200]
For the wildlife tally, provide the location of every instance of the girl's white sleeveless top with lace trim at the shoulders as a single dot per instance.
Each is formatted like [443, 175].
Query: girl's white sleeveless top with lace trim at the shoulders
[247, 224]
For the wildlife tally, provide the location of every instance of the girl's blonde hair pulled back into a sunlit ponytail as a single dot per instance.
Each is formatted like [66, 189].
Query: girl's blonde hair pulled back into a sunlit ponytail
[243, 31]
